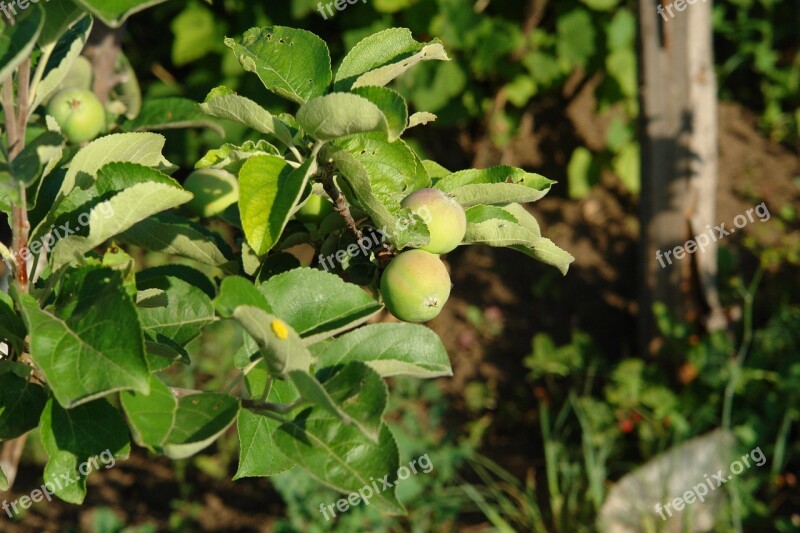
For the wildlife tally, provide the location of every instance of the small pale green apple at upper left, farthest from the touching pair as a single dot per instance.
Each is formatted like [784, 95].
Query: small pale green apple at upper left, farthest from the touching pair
[79, 114]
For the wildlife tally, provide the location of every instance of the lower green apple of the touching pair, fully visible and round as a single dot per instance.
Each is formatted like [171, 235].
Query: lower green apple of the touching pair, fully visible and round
[415, 286]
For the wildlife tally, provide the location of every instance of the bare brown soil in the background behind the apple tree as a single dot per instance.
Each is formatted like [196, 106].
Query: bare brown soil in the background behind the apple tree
[515, 298]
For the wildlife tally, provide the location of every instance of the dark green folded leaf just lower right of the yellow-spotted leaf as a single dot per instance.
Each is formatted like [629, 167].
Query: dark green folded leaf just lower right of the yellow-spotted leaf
[354, 393]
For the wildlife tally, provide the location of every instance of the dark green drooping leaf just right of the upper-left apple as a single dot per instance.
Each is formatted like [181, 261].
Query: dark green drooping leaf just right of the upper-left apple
[171, 113]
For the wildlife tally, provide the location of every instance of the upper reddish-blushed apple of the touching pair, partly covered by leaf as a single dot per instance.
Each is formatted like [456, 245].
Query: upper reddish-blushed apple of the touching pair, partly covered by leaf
[444, 216]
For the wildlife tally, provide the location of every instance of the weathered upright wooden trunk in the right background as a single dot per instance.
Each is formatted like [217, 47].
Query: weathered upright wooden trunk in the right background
[678, 126]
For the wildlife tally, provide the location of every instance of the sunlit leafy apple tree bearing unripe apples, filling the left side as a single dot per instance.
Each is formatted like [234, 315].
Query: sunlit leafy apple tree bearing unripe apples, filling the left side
[88, 333]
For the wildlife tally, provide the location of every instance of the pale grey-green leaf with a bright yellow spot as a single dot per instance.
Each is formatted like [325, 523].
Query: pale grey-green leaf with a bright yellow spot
[281, 346]
